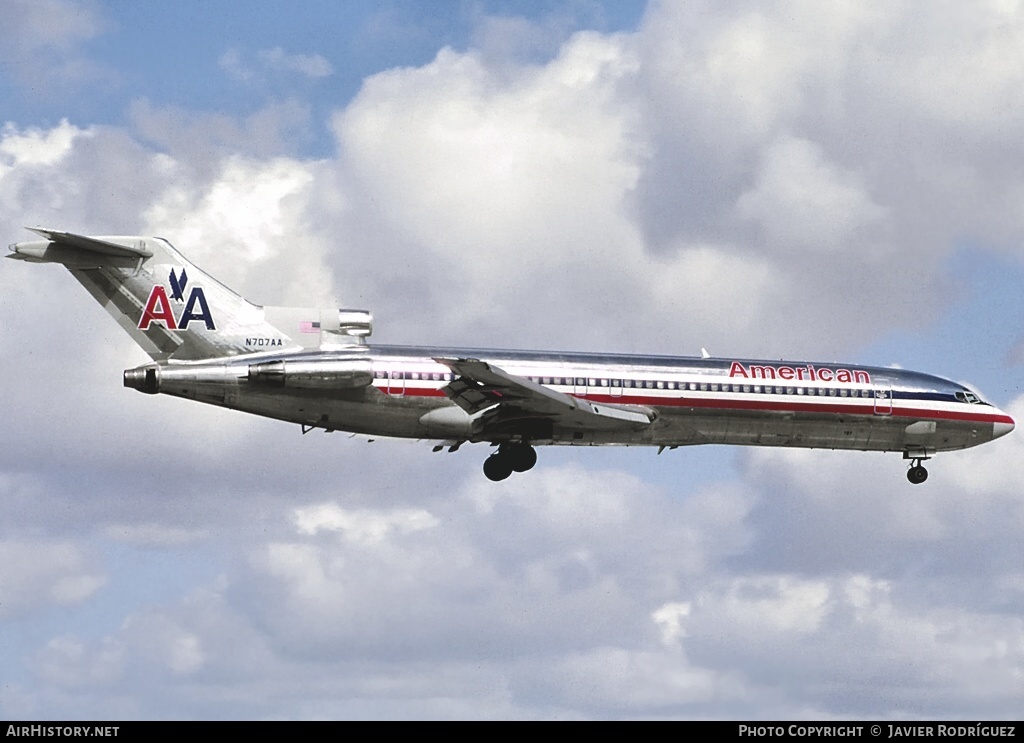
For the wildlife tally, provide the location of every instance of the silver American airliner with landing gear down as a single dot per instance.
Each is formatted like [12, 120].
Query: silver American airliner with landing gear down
[315, 367]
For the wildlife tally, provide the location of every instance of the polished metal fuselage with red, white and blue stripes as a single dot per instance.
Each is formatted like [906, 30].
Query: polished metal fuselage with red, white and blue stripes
[399, 391]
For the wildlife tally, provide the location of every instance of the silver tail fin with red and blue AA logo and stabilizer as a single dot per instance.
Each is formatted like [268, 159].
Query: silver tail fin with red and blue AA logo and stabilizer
[175, 311]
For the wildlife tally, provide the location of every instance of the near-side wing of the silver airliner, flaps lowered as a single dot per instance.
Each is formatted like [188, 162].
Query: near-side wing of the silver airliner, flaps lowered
[480, 386]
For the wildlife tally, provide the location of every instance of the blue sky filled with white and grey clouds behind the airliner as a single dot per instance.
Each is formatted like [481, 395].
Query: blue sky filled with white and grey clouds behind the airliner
[791, 180]
